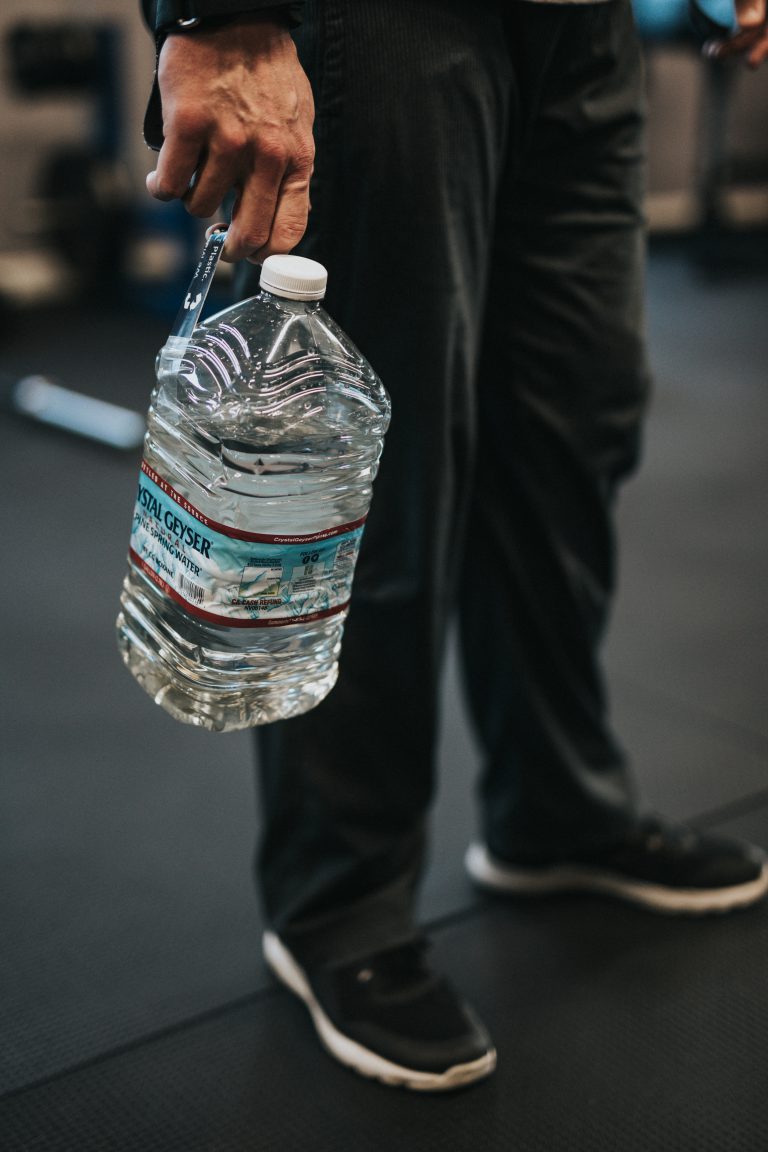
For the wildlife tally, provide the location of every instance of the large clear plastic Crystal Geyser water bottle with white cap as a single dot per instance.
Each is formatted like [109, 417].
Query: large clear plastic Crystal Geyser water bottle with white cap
[264, 437]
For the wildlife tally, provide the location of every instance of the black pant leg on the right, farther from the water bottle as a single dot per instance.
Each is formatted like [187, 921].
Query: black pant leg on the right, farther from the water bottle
[562, 391]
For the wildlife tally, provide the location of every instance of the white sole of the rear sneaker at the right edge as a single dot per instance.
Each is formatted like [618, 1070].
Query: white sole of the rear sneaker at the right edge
[496, 876]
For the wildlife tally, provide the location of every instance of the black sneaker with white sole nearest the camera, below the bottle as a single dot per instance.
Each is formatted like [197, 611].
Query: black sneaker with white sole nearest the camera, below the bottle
[391, 1018]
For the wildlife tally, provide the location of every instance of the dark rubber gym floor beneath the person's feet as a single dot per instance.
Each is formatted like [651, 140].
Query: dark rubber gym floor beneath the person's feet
[136, 1014]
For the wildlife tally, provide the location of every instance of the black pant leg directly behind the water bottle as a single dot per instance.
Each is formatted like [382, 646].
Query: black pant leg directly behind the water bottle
[413, 110]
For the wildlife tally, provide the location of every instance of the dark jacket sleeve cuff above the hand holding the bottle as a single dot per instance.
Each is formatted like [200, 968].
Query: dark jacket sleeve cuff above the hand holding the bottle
[177, 17]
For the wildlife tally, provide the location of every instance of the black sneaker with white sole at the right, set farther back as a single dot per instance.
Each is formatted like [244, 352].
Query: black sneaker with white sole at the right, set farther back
[664, 867]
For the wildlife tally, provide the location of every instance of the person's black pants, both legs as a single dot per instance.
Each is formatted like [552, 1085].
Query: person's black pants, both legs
[477, 202]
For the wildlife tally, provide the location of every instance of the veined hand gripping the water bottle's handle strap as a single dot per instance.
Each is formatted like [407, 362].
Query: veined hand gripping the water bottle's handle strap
[238, 115]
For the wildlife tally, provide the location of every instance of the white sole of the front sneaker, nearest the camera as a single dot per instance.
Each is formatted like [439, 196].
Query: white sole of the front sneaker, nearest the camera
[355, 1056]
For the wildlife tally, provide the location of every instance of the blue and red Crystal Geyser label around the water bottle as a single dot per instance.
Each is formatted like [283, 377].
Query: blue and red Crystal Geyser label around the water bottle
[239, 579]
